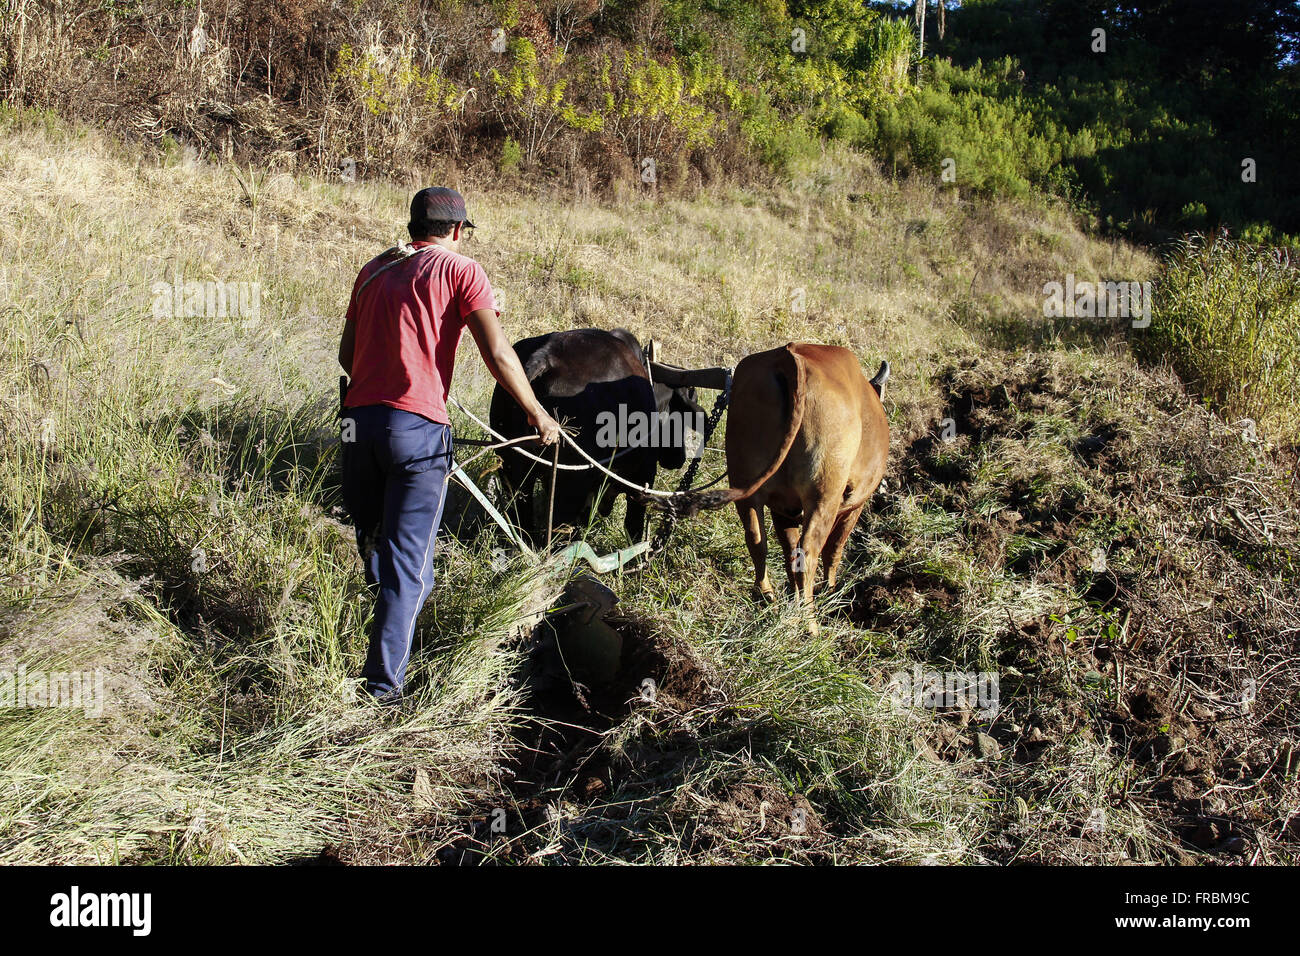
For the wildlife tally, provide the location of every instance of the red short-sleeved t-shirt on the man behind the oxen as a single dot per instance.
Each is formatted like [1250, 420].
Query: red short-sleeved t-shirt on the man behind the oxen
[409, 325]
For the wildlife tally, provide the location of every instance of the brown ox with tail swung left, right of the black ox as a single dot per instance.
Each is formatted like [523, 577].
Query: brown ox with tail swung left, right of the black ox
[808, 439]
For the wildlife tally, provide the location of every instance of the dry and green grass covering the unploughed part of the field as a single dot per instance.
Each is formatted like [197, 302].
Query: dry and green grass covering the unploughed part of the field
[168, 494]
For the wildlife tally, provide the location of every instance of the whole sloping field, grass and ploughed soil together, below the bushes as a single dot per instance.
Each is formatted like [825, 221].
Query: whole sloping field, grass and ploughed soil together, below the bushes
[172, 518]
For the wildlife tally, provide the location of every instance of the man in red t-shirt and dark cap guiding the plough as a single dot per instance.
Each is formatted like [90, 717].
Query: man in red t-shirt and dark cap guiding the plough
[405, 321]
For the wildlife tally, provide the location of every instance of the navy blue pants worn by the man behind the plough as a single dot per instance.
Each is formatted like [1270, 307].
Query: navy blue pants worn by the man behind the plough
[395, 479]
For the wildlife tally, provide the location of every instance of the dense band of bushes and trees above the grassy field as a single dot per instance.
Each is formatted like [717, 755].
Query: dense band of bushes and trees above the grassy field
[1158, 119]
